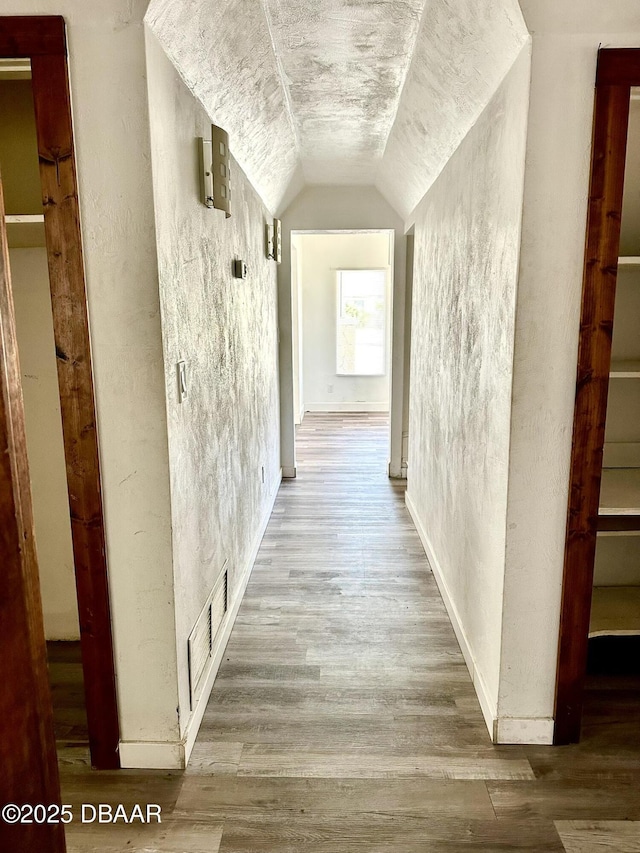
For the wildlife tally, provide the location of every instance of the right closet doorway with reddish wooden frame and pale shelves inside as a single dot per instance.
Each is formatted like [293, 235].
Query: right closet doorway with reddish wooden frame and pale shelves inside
[604, 500]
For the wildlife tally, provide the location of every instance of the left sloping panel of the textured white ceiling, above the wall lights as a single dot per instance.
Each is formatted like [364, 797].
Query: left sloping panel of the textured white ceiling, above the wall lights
[224, 53]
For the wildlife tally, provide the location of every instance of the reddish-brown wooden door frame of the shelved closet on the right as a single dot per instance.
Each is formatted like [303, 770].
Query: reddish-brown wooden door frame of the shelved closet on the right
[617, 71]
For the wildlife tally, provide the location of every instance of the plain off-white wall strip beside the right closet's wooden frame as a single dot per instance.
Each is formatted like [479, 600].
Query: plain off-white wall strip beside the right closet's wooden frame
[565, 45]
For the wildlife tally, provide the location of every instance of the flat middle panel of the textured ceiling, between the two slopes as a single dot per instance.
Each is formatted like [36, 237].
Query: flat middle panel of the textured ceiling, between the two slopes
[344, 63]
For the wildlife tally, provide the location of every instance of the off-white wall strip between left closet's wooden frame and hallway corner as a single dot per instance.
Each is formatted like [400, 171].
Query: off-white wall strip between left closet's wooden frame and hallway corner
[107, 63]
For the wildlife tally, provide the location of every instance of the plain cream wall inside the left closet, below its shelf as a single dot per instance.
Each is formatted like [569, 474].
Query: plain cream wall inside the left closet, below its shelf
[36, 347]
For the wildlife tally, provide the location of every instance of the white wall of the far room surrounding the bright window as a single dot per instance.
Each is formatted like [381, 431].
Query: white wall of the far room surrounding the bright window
[321, 255]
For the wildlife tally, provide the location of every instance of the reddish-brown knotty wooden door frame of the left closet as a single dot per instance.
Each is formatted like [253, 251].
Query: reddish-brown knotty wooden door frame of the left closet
[43, 41]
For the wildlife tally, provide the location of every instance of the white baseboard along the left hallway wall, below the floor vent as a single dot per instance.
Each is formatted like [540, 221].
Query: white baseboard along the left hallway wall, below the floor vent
[175, 755]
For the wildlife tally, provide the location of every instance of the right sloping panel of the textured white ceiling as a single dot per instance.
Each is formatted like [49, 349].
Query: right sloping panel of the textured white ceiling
[463, 51]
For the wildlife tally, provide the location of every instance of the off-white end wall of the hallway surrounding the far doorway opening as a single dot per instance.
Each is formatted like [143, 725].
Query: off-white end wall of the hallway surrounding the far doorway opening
[320, 208]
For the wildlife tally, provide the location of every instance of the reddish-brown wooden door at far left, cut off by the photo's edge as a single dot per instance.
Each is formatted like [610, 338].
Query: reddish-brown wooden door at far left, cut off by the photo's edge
[28, 761]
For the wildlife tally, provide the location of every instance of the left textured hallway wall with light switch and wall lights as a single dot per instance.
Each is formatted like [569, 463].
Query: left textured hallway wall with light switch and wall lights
[225, 329]
